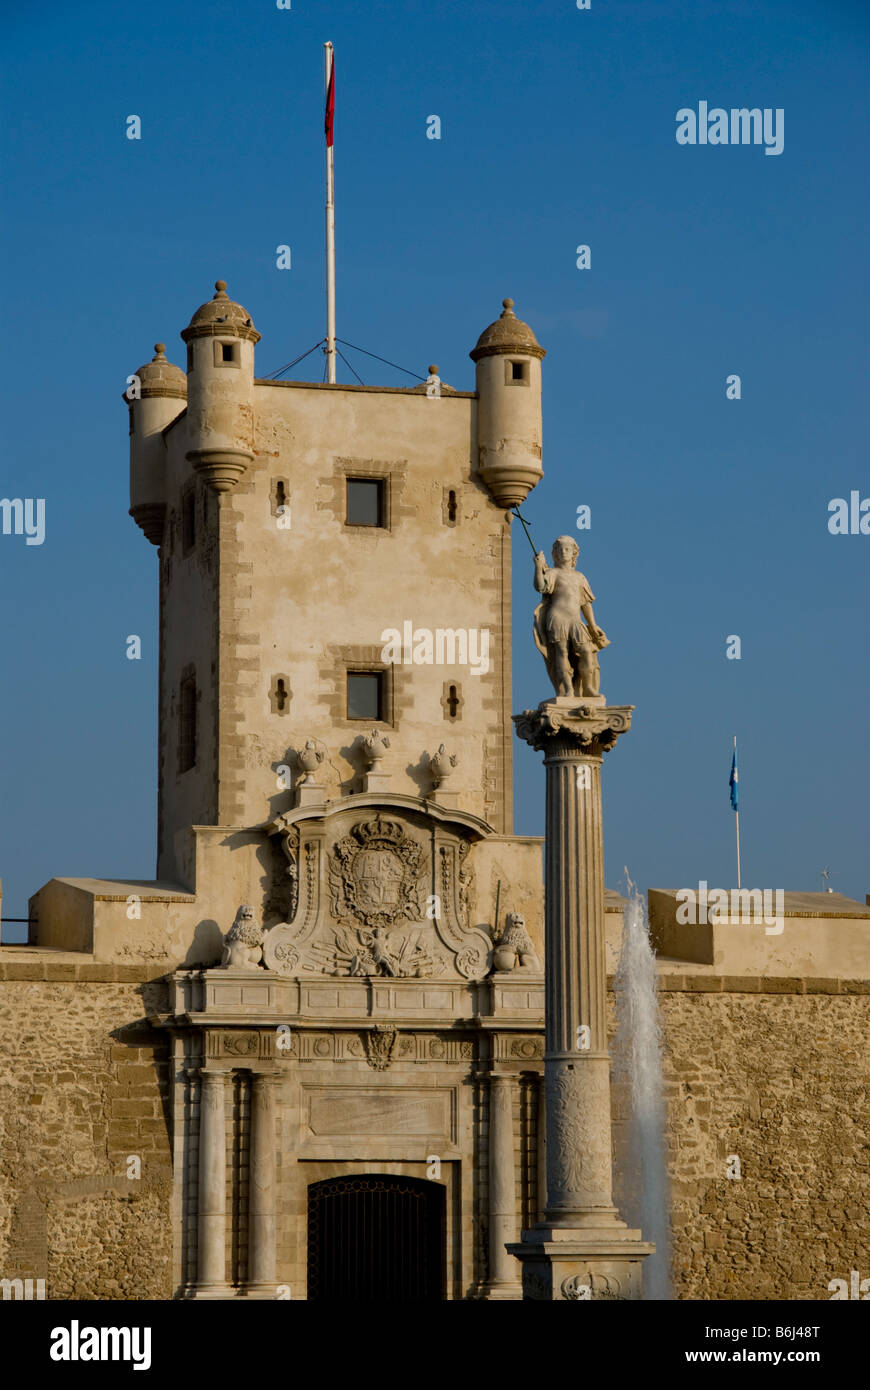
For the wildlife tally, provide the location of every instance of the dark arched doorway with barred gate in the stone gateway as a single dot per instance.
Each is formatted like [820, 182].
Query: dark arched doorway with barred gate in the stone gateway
[376, 1238]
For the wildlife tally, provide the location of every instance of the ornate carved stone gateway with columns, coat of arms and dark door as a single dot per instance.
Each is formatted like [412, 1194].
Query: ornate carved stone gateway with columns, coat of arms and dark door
[344, 1074]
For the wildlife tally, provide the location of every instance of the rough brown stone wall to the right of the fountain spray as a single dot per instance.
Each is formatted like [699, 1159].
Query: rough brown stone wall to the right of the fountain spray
[776, 1072]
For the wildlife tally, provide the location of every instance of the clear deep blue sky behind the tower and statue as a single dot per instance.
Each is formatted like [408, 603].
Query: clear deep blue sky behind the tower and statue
[709, 518]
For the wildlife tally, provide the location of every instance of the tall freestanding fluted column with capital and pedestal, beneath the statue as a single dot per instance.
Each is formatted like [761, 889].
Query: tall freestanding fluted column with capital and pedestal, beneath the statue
[582, 1250]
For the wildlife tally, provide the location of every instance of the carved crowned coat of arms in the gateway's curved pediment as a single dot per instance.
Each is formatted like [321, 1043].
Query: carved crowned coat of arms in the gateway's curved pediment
[375, 875]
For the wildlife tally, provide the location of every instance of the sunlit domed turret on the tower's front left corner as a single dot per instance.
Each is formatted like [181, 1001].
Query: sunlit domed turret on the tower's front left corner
[220, 341]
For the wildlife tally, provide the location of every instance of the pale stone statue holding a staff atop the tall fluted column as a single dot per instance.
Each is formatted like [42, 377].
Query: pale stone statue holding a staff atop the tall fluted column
[569, 647]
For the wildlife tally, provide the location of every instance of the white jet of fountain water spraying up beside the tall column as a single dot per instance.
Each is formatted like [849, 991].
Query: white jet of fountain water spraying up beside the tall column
[643, 1185]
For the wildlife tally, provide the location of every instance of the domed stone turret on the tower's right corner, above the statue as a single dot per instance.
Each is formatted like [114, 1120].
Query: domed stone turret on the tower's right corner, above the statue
[508, 358]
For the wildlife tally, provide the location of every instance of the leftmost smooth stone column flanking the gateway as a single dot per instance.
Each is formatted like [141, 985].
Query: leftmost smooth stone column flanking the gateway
[212, 1248]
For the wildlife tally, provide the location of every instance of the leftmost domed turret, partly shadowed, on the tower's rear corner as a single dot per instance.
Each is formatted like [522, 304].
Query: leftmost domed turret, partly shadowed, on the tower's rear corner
[156, 395]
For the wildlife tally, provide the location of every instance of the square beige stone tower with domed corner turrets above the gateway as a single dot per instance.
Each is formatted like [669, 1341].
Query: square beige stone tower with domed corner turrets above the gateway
[301, 523]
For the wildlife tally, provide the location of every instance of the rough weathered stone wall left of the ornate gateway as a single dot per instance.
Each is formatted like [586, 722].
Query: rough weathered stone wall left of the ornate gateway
[83, 1088]
